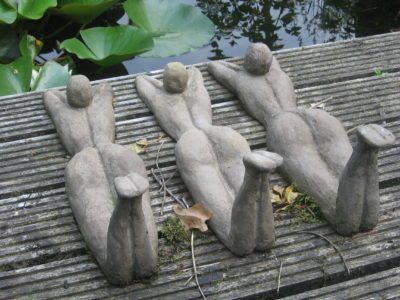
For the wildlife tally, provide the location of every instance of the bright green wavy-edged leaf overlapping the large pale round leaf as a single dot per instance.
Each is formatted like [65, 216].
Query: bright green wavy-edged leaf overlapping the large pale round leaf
[107, 46]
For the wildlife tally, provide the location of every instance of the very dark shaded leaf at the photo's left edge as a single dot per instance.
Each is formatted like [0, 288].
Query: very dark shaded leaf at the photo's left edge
[9, 49]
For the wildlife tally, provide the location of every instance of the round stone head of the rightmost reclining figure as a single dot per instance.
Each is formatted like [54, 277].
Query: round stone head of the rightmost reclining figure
[258, 59]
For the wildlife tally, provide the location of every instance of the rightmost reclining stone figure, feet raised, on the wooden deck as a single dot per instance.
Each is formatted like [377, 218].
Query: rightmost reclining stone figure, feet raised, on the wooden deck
[317, 154]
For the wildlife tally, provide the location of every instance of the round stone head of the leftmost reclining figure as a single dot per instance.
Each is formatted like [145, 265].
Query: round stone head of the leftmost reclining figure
[79, 91]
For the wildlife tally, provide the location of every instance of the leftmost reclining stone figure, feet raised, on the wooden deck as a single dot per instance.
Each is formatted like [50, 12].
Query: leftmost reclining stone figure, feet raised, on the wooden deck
[106, 183]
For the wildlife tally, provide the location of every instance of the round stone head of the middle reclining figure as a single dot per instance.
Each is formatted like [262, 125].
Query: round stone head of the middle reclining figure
[175, 77]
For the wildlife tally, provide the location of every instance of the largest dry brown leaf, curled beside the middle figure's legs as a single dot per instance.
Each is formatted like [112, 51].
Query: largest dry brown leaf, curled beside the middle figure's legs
[194, 217]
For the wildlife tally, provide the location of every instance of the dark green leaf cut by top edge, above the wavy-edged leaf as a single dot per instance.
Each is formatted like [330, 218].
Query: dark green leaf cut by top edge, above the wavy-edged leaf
[83, 11]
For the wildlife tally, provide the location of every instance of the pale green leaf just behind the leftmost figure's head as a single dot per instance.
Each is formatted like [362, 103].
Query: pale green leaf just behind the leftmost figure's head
[50, 75]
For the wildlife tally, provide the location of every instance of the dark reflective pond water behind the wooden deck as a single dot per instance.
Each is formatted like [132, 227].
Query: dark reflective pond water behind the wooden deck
[281, 24]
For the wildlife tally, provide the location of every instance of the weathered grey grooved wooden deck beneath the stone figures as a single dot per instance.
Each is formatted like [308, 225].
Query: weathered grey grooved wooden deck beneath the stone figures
[43, 255]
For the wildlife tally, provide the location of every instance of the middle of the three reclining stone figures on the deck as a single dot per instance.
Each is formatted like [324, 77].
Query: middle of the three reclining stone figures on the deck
[215, 163]
